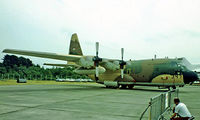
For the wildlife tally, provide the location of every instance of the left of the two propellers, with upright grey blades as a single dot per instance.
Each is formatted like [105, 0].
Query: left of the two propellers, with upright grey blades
[96, 60]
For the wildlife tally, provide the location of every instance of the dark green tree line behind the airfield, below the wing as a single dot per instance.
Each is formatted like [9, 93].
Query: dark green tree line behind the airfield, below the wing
[20, 67]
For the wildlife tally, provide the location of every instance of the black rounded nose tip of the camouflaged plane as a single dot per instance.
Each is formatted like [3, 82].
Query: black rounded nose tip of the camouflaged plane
[189, 76]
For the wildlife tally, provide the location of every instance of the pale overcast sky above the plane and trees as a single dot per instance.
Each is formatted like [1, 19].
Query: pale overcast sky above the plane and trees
[143, 27]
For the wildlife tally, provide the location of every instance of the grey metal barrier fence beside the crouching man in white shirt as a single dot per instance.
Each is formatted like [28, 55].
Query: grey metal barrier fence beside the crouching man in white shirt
[160, 104]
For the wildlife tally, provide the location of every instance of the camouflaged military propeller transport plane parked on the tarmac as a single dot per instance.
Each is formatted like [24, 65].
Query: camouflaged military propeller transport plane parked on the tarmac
[115, 73]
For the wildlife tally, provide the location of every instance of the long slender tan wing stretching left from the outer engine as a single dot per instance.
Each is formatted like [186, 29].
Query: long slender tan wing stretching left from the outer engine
[44, 55]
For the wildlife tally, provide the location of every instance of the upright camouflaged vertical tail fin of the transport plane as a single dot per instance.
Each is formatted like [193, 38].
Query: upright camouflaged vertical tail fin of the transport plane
[75, 48]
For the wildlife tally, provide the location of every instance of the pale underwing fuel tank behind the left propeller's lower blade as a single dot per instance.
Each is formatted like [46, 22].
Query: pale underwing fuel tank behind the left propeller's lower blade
[89, 71]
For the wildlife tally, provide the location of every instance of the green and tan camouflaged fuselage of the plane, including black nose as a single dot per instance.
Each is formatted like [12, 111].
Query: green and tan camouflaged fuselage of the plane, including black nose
[160, 71]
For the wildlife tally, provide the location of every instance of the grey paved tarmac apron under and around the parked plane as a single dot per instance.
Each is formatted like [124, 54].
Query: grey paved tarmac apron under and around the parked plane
[83, 102]
